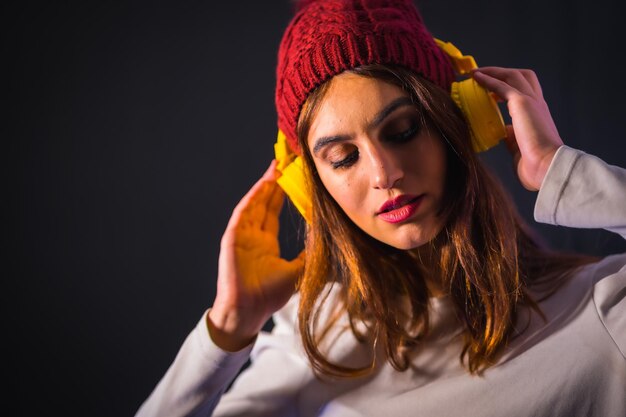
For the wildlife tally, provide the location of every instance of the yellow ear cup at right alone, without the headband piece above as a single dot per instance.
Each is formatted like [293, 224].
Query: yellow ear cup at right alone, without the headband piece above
[482, 113]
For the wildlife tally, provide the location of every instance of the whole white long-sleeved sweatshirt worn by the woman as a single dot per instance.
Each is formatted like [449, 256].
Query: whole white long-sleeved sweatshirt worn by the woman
[573, 365]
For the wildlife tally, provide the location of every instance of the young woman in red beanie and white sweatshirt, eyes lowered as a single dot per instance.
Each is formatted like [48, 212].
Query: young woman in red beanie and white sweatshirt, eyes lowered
[420, 290]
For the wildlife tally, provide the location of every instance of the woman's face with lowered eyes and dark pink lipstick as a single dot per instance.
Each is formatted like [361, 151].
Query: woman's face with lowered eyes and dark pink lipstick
[376, 159]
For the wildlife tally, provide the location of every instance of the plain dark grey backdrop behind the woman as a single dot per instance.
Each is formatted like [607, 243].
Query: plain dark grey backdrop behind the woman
[132, 129]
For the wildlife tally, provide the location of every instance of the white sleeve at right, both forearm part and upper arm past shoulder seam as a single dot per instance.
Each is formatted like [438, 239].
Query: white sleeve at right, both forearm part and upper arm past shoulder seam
[581, 190]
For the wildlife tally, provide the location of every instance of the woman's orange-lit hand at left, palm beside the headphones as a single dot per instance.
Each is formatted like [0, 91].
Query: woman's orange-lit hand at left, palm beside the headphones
[253, 280]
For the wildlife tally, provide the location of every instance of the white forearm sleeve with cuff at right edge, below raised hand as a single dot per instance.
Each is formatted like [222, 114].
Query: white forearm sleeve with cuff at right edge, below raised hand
[581, 190]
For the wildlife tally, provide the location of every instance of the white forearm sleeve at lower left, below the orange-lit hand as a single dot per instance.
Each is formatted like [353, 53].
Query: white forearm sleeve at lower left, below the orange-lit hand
[194, 383]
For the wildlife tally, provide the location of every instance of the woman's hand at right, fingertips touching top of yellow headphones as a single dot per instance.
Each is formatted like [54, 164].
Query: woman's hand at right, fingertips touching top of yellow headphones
[532, 138]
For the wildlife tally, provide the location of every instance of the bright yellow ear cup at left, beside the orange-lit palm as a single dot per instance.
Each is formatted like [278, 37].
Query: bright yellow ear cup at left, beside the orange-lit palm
[292, 179]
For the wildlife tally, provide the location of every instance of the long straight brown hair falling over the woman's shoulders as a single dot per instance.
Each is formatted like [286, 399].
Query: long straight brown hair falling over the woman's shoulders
[488, 257]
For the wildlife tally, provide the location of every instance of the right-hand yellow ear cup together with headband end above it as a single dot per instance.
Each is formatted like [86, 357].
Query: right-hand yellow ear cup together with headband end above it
[478, 106]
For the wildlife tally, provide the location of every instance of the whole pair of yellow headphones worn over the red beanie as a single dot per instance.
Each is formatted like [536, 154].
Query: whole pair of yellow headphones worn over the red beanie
[476, 103]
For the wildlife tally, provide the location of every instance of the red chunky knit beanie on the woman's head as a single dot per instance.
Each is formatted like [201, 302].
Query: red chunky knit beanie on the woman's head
[327, 37]
